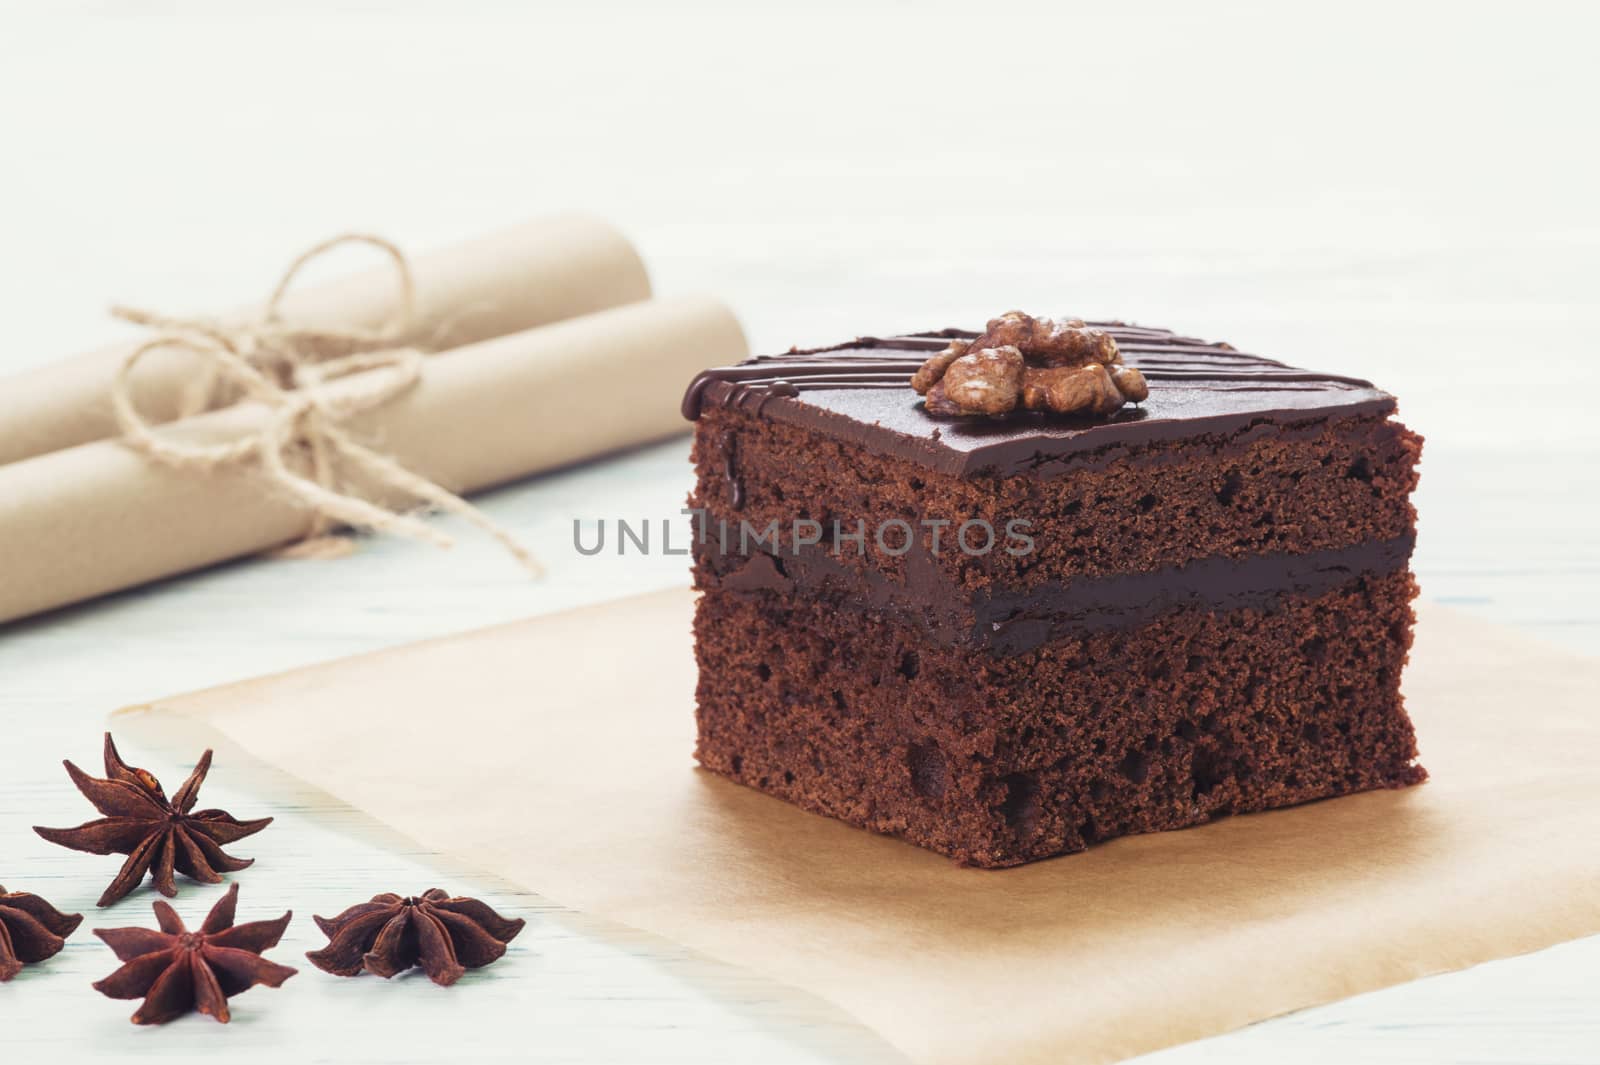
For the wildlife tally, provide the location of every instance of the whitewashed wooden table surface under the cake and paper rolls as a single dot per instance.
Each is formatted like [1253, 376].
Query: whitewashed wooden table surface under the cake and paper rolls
[1404, 204]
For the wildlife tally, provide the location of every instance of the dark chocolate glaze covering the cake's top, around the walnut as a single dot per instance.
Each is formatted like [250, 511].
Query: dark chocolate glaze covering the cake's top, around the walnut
[862, 393]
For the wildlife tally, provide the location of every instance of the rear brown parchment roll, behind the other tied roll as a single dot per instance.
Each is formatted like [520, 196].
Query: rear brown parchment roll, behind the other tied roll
[518, 279]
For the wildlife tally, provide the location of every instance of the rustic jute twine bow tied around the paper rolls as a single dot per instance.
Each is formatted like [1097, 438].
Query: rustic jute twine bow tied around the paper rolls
[289, 370]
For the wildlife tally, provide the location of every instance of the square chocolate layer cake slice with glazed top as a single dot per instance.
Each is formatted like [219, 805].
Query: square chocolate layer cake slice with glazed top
[1017, 634]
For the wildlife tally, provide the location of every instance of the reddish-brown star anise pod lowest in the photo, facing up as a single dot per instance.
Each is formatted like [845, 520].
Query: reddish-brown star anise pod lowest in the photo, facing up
[177, 971]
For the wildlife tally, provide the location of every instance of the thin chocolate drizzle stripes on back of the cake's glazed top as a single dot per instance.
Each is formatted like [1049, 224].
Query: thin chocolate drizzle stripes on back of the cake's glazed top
[1166, 359]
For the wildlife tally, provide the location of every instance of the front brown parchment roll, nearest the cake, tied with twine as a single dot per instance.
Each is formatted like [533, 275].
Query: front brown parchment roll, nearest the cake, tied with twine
[95, 519]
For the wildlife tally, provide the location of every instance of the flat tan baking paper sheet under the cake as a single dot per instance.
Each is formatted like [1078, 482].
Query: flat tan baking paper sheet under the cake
[569, 738]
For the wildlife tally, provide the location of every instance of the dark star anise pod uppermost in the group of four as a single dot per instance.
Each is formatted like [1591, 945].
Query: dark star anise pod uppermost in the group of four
[159, 836]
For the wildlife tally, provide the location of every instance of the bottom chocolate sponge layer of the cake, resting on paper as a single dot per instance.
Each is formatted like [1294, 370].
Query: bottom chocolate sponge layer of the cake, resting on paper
[1002, 760]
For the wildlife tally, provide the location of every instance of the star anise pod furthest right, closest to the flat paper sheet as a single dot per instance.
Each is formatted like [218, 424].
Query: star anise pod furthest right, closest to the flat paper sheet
[393, 935]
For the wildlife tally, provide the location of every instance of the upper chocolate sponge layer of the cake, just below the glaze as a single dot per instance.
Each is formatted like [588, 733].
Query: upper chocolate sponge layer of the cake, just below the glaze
[1266, 492]
